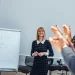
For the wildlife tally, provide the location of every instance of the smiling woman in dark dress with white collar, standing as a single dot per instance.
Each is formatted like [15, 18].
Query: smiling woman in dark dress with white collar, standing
[39, 51]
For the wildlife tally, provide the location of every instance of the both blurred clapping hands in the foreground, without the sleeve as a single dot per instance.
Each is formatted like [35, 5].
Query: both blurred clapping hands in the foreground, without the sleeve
[55, 40]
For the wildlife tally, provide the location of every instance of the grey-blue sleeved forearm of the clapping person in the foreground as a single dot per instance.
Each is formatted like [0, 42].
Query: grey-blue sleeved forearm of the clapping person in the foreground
[69, 58]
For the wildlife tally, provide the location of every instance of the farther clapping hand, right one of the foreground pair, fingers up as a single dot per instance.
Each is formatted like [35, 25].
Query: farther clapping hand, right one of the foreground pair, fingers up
[67, 31]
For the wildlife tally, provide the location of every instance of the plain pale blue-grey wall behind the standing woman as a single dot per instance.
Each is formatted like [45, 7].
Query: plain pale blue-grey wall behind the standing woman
[28, 15]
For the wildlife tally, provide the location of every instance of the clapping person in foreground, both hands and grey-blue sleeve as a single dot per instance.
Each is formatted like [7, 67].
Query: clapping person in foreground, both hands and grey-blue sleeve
[64, 45]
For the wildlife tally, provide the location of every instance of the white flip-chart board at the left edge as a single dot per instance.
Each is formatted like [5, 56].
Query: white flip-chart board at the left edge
[9, 49]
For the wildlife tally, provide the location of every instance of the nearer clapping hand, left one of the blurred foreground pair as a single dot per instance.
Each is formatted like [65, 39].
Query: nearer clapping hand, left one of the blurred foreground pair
[57, 42]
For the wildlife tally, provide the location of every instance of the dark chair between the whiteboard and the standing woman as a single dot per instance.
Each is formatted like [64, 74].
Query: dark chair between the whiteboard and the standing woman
[28, 65]
